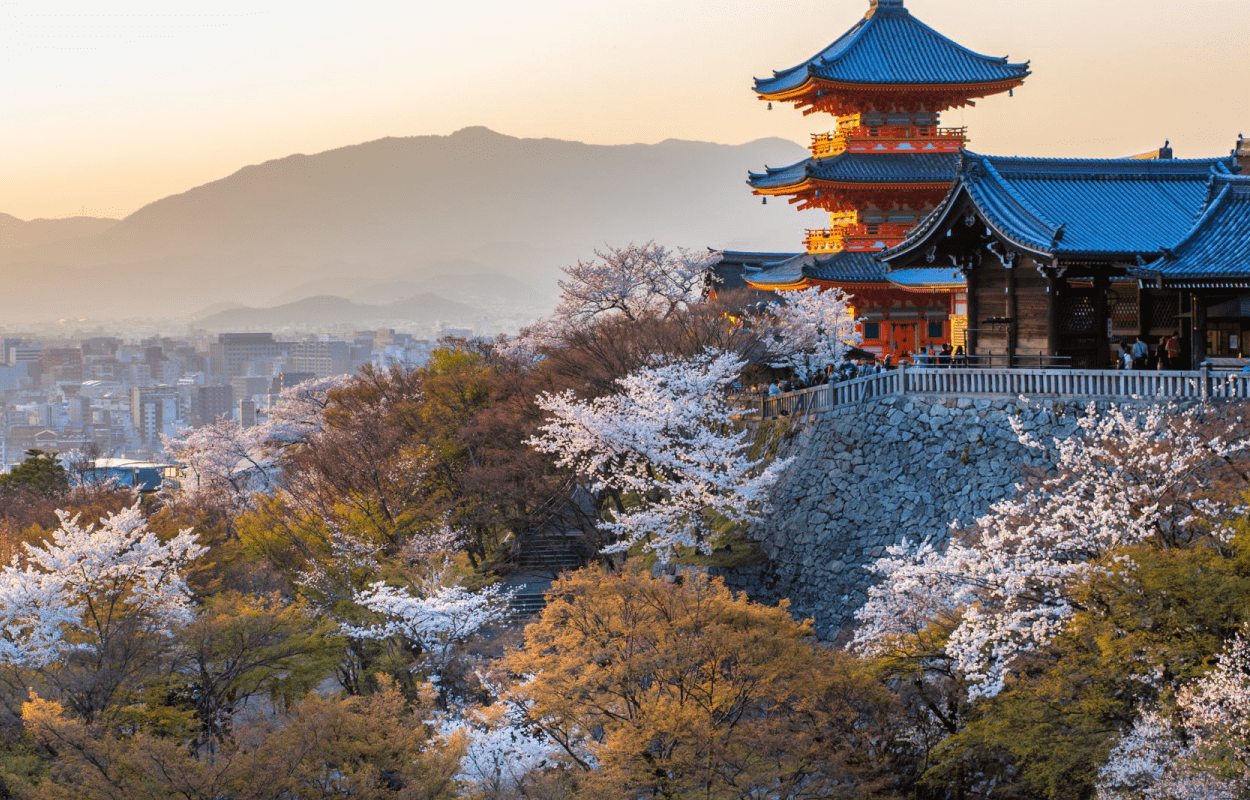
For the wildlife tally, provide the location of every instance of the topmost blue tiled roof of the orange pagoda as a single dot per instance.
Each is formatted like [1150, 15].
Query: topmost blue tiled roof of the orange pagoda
[889, 47]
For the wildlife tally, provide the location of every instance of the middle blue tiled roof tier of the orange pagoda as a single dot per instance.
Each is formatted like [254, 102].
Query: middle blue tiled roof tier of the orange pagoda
[863, 168]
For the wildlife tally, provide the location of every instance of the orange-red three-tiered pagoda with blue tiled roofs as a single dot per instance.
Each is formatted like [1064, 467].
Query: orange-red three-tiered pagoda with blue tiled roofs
[887, 164]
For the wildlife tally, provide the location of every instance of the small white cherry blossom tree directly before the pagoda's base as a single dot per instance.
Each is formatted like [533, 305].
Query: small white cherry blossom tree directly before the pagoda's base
[812, 329]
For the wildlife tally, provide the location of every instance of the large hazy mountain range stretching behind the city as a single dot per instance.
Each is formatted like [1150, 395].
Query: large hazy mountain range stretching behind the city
[397, 209]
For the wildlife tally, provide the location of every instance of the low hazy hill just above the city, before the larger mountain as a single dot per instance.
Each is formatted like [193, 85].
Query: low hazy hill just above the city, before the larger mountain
[329, 311]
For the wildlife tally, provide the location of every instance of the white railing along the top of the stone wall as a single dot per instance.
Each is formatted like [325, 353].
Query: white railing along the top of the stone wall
[1081, 386]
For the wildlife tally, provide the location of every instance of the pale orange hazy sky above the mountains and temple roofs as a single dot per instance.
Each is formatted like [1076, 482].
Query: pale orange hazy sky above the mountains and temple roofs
[106, 107]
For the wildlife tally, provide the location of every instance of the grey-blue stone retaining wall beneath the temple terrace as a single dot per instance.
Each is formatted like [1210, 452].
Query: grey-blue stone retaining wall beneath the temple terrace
[867, 478]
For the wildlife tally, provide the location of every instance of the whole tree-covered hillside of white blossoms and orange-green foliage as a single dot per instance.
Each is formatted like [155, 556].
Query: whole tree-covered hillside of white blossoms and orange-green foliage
[317, 611]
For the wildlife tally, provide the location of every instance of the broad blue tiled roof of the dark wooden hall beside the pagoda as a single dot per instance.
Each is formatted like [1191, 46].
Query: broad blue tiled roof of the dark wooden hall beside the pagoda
[1076, 207]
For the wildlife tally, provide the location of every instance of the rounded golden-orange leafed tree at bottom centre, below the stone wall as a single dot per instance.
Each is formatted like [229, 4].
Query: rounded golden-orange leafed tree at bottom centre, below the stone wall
[679, 689]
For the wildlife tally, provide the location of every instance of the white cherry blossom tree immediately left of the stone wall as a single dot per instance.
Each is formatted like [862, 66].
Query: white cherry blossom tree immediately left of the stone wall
[664, 447]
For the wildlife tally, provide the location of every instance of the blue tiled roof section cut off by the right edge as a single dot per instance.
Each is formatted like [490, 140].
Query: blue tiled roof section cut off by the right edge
[1218, 247]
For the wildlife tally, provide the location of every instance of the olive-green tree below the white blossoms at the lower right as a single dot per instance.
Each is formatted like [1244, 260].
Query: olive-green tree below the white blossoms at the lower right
[1153, 622]
